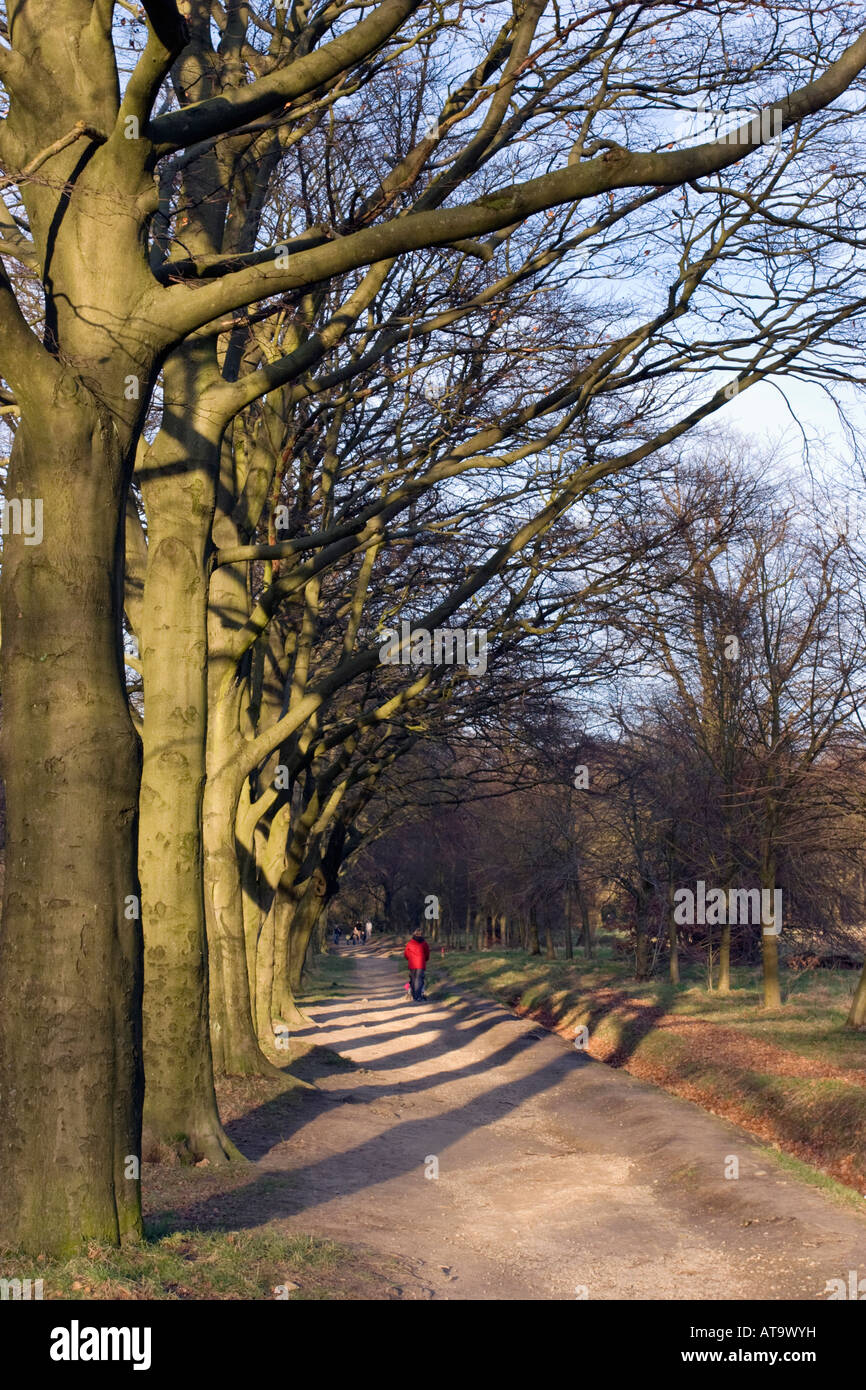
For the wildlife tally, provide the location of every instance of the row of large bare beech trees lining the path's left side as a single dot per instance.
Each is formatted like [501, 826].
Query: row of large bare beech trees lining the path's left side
[313, 322]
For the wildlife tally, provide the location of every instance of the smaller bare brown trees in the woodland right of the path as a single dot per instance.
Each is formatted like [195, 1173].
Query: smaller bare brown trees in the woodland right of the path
[729, 751]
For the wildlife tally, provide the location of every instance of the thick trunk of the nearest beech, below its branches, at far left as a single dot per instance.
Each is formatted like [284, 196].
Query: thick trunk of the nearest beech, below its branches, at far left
[72, 1078]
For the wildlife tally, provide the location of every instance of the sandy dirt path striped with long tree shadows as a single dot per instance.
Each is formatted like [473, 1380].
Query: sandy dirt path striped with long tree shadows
[555, 1174]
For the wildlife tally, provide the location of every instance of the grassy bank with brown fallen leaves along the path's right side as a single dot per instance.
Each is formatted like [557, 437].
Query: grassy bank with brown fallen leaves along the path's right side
[796, 1077]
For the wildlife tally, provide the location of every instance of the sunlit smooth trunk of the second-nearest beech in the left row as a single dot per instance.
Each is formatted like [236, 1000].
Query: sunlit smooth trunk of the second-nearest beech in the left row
[180, 1106]
